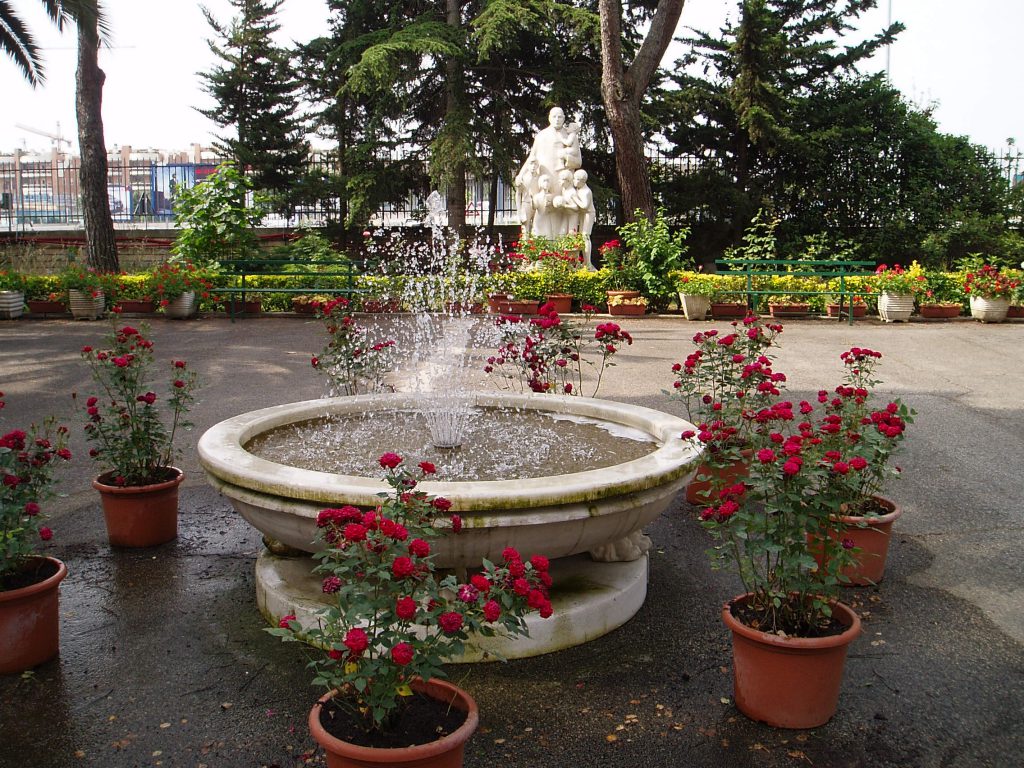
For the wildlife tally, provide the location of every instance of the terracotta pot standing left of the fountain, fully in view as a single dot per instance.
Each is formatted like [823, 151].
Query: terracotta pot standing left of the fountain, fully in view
[141, 516]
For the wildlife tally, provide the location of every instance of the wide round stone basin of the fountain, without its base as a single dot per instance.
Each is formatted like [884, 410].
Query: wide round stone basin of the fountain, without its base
[558, 516]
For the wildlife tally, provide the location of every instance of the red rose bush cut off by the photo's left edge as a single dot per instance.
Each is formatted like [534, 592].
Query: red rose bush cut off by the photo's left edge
[27, 459]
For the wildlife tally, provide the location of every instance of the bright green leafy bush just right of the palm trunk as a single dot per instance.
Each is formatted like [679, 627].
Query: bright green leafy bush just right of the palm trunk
[216, 221]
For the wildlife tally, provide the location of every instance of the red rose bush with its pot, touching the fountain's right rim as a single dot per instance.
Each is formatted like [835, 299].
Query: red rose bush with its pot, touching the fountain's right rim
[729, 373]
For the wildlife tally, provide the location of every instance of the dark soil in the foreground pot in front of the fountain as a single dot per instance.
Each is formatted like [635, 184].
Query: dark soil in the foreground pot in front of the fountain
[422, 721]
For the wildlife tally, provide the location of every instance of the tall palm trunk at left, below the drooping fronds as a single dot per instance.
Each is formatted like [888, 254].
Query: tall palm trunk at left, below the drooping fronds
[102, 248]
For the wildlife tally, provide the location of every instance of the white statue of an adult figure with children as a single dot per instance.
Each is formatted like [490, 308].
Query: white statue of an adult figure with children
[552, 196]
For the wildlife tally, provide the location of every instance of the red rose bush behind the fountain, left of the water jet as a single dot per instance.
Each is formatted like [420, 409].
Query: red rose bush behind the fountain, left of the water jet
[352, 360]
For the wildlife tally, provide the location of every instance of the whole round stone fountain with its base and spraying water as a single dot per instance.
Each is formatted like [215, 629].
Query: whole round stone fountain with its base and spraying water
[589, 520]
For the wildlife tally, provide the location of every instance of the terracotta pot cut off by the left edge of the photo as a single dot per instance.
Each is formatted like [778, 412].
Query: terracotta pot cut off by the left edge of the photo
[30, 627]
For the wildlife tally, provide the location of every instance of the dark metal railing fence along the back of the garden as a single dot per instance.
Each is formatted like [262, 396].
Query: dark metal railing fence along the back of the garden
[45, 194]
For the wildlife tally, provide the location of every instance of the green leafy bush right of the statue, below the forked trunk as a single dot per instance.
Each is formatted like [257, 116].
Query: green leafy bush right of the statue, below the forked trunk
[658, 254]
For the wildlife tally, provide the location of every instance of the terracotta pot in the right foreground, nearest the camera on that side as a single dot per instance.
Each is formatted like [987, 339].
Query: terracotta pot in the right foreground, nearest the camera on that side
[789, 682]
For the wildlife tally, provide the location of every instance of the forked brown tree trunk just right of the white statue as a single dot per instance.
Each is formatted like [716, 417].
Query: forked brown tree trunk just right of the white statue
[622, 92]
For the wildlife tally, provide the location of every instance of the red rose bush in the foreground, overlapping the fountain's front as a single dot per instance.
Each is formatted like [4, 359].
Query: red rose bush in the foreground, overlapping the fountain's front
[393, 618]
